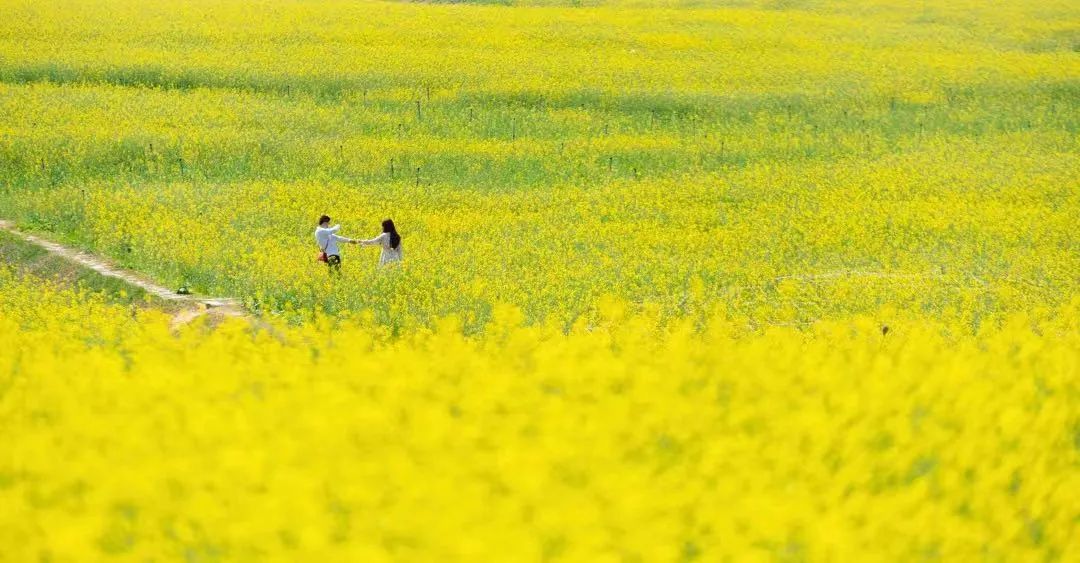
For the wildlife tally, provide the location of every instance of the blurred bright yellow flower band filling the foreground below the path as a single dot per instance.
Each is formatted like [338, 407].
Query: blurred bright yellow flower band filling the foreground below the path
[617, 441]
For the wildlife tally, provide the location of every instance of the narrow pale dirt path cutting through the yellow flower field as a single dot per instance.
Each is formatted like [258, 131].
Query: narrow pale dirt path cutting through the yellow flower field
[198, 306]
